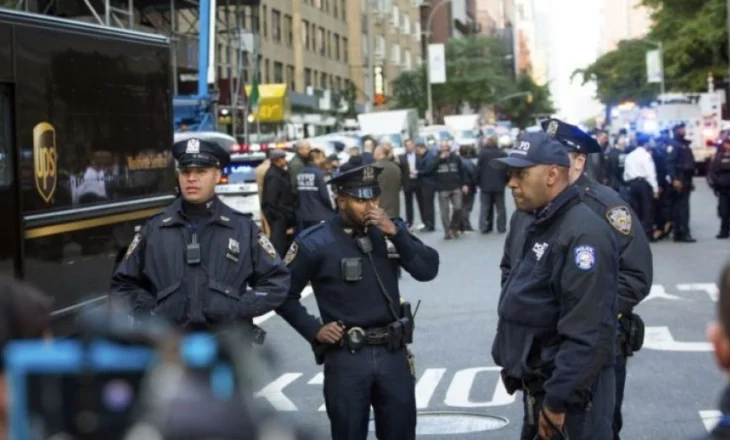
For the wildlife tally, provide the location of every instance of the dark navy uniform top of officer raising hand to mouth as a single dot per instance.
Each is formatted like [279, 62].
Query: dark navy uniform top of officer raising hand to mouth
[316, 256]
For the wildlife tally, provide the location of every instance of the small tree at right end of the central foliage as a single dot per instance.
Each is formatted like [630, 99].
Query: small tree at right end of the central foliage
[522, 110]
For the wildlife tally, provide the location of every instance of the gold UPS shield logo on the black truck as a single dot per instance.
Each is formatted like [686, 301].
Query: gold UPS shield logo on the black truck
[44, 159]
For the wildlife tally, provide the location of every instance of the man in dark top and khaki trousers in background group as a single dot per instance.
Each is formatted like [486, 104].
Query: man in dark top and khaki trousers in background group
[451, 186]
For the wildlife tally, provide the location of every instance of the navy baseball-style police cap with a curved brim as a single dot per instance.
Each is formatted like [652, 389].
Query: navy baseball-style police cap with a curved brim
[532, 149]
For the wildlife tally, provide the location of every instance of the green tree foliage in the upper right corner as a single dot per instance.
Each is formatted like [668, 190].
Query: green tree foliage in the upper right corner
[695, 38]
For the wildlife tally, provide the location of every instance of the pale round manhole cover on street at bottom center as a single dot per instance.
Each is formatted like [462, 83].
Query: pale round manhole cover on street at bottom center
[444, 422]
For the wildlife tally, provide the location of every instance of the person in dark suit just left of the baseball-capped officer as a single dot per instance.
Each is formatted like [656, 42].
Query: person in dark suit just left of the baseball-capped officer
[492, 183]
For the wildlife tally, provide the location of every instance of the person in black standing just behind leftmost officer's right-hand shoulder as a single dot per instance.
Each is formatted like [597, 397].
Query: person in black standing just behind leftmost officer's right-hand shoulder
[279, 201]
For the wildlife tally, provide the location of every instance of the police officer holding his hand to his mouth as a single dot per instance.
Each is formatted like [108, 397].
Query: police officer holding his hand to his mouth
[352, 261]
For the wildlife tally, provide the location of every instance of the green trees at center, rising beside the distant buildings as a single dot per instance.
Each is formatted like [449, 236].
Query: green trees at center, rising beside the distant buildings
[477, 74]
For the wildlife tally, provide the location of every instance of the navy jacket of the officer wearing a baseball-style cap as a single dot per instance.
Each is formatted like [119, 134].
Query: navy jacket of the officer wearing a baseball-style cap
[558, 305]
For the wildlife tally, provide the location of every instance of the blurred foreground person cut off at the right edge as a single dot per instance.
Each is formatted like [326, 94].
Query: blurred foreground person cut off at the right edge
[718, 332]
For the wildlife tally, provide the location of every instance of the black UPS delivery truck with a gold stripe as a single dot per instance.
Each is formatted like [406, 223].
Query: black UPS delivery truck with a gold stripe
[85, 151]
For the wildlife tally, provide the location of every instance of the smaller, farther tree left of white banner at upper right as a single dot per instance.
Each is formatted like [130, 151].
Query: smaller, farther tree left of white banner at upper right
[620, 75]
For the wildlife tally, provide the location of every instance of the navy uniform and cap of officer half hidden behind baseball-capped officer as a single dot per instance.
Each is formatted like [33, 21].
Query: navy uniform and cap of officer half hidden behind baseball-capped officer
[636, 272]
